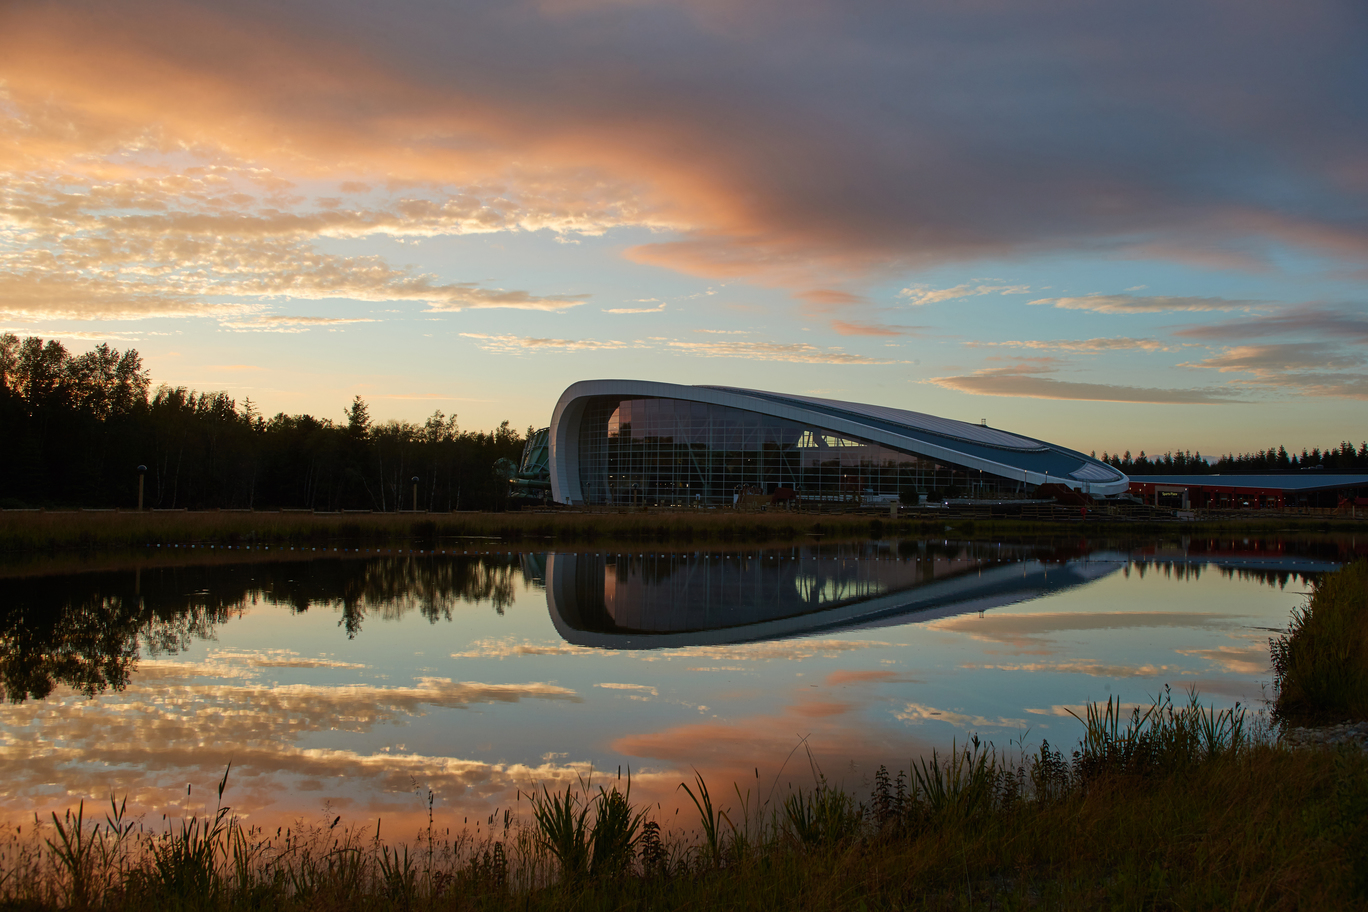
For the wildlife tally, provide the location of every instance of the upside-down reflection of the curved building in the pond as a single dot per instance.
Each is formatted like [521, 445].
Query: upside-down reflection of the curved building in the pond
[661, 601]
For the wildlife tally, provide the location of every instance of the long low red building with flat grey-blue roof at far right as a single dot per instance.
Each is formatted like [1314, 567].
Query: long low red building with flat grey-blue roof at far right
[1285, 492]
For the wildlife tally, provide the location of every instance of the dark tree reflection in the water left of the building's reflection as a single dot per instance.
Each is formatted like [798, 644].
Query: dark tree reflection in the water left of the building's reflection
[88, 631]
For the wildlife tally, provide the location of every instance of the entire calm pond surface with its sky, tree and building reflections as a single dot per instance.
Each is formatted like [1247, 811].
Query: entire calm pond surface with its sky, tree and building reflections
[347, 683]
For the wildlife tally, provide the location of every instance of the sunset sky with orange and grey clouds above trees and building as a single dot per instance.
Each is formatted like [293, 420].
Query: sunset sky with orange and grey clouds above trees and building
[1125, 226]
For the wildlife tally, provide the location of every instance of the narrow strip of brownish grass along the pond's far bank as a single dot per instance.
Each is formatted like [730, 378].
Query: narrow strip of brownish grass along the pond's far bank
[53, 531]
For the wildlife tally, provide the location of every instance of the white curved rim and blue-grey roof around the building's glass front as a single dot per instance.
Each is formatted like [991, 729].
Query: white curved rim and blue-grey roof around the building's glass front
[990, 456]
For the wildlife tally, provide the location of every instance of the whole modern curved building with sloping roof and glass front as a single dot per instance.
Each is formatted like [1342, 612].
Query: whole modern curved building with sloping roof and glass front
[641, 442]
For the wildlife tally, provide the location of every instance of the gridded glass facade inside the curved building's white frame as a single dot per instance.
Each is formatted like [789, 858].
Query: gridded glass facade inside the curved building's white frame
[678, 453]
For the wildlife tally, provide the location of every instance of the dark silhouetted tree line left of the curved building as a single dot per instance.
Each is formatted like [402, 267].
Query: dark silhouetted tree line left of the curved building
[76, 427]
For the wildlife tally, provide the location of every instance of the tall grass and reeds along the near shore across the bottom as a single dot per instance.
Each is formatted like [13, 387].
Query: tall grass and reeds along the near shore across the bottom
[1176, 807]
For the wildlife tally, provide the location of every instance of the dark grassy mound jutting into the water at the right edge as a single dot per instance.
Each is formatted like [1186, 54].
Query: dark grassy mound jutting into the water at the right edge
[1321, 665]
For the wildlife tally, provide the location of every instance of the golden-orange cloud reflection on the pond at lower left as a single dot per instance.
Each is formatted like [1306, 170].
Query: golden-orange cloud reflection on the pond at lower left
[172, 727]
